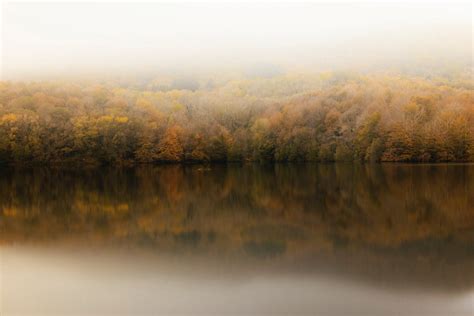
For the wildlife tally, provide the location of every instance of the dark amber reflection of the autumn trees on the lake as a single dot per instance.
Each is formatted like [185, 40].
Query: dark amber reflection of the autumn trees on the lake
[396, 227]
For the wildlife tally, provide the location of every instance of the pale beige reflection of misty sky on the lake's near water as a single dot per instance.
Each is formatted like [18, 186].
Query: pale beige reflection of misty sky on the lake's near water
[42, 282]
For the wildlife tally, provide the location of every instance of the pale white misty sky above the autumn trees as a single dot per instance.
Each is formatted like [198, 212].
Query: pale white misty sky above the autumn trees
[39, 39]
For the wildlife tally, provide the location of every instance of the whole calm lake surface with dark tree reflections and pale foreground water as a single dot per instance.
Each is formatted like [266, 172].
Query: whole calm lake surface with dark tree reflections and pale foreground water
[328, 239]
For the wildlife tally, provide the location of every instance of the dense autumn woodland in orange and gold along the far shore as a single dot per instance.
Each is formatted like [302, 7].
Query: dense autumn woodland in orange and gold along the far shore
[286, 117]
